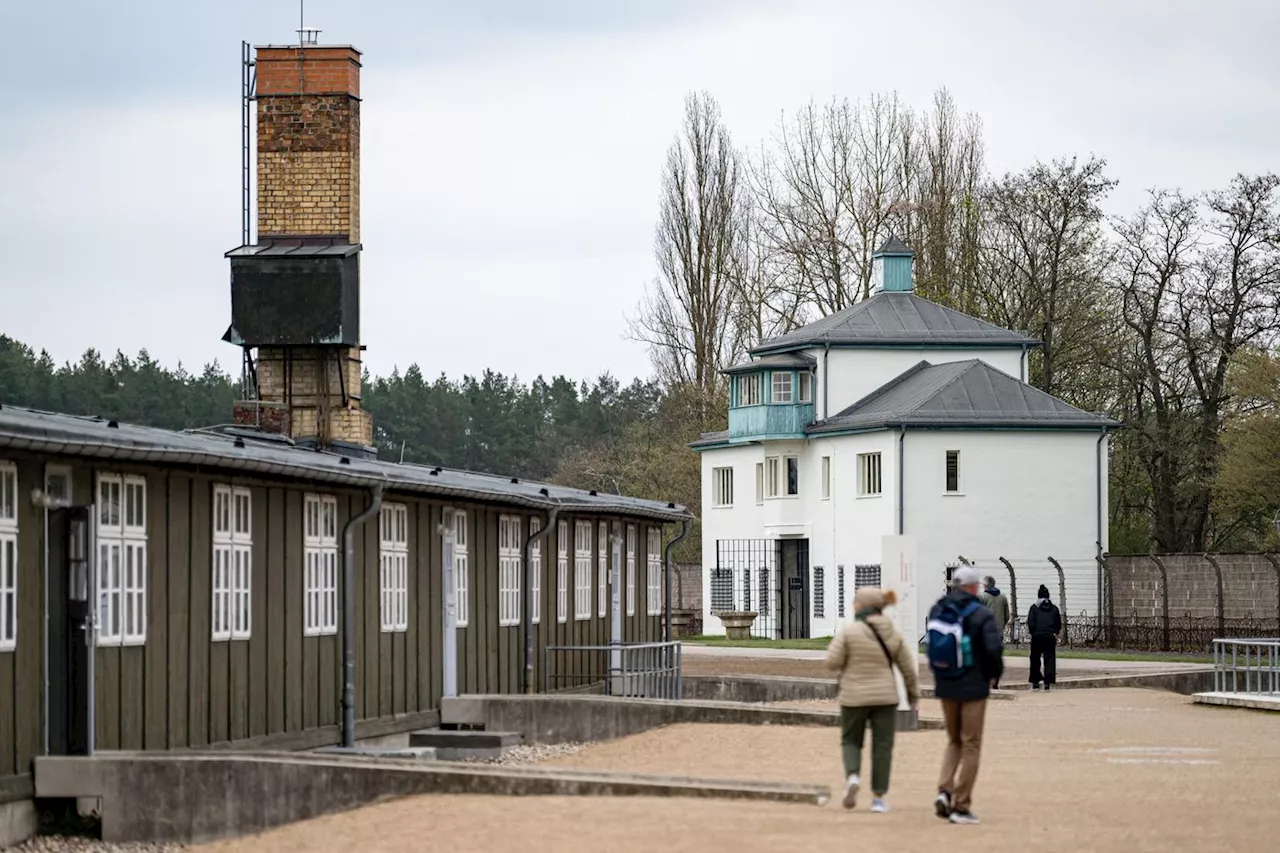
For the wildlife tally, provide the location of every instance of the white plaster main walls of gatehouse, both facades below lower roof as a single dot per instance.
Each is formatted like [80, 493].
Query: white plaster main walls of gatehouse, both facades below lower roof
[1026, 496]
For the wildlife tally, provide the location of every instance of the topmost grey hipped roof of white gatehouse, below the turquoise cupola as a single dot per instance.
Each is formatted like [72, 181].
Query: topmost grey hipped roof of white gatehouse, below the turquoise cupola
[898, 320]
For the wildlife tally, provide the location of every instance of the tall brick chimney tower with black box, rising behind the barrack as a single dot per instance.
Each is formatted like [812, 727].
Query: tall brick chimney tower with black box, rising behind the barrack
[296, 290]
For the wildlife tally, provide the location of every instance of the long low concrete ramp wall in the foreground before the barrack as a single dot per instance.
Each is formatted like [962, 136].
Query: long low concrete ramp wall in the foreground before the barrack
[195, 799]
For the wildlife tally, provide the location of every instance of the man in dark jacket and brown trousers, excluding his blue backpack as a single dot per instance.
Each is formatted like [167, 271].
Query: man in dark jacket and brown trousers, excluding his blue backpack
[964, 700]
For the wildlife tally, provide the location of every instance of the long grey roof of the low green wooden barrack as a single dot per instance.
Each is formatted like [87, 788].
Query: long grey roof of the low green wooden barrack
[107, 440]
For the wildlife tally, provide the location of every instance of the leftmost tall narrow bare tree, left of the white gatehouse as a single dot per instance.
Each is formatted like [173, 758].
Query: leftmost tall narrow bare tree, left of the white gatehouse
[691, 316]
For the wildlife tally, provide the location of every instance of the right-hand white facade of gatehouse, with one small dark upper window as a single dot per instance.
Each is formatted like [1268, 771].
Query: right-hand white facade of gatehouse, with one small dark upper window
[1026, 496]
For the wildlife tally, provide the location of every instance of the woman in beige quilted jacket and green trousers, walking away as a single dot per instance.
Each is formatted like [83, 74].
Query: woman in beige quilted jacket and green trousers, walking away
[866, 651]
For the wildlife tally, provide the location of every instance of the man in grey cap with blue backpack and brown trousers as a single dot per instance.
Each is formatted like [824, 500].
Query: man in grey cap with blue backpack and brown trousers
[967, 658]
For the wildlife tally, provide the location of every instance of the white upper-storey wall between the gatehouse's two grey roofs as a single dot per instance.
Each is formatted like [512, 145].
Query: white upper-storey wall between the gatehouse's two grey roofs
[858, 372]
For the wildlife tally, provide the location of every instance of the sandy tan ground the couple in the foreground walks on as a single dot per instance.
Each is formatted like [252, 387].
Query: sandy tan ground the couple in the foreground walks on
[1089, 770]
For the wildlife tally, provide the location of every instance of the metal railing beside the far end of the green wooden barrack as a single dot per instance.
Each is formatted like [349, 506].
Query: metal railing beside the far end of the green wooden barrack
[639, 670]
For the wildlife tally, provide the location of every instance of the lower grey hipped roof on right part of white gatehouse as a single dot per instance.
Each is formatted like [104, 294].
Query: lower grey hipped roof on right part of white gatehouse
[961, 394]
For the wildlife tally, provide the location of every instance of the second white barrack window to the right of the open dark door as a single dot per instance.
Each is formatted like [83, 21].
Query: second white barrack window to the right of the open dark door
[234, 564]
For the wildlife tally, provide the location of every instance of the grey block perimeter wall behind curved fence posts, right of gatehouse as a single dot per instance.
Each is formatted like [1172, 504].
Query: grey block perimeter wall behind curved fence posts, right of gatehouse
[1249, 585]
